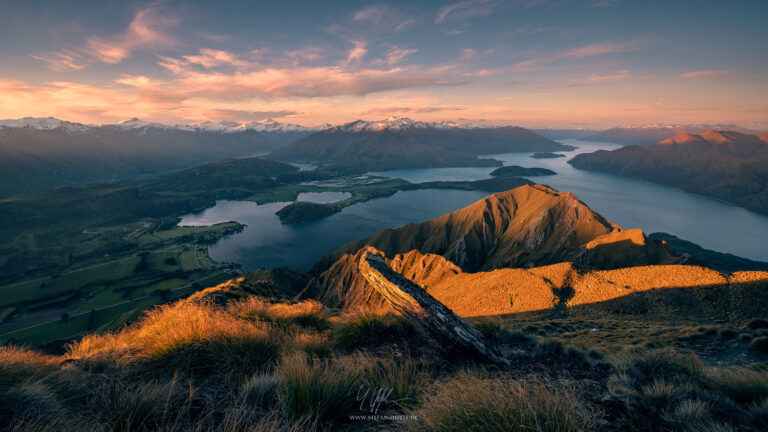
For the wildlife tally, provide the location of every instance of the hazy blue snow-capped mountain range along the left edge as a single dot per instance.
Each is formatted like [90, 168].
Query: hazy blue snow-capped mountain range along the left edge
[38, 154]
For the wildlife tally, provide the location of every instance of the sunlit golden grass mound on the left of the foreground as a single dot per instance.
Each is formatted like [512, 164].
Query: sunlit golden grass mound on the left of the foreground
[201, 336]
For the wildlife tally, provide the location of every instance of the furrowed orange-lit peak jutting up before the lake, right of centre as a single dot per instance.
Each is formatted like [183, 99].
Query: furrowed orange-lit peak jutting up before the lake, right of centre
[531, 225]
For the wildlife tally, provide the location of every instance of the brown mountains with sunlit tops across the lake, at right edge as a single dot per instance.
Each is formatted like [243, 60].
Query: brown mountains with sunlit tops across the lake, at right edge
[726, 165]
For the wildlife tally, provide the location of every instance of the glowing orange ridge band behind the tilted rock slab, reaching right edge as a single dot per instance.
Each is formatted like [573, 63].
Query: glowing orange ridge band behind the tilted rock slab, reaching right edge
[671, 292]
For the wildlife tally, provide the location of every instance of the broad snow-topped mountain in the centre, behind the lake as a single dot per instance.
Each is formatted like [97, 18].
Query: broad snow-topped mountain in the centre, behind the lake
[403, 143]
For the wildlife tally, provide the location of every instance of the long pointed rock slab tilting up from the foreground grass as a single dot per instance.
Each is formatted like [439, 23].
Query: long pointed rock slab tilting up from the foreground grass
[452, 334]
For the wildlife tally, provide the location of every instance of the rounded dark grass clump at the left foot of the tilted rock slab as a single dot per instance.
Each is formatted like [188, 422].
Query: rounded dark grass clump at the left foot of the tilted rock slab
[366, 328]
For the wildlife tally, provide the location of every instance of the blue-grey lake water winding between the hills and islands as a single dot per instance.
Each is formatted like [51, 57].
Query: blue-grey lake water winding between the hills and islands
[627, 202]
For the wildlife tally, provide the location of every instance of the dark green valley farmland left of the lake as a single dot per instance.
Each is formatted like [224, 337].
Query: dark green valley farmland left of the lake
[160, 266]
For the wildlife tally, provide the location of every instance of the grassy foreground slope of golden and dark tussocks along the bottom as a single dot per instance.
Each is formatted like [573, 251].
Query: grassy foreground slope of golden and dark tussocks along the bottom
[225, 359]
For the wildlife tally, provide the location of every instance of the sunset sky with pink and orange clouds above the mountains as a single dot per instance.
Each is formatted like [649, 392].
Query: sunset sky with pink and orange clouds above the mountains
[534, 63]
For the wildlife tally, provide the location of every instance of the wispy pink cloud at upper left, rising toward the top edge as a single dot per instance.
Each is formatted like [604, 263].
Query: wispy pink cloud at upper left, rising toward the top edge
[146, 30]
